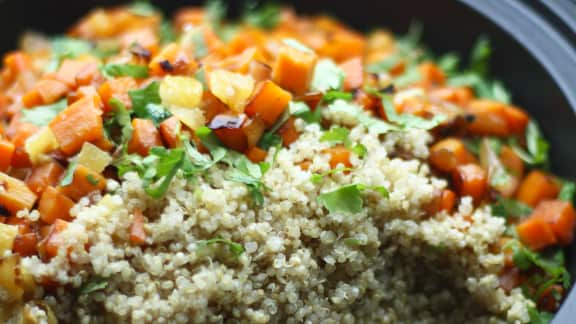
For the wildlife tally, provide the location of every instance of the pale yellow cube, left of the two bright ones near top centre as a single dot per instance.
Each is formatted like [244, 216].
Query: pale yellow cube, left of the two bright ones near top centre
[181, 91]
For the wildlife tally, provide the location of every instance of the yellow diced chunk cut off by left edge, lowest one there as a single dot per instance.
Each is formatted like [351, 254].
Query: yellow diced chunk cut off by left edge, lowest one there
[9, 279]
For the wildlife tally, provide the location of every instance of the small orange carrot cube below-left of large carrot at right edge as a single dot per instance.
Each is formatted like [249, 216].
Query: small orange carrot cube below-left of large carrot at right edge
[536, 233]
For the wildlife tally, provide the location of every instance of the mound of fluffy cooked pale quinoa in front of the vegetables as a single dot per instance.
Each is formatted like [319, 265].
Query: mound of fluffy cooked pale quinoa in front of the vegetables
[390, 263]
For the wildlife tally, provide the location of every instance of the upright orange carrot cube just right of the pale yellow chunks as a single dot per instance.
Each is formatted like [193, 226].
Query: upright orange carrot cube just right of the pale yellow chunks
[293, 69]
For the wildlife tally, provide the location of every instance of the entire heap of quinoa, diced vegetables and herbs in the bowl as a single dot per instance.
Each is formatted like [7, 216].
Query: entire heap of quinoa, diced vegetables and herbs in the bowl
[275, 169]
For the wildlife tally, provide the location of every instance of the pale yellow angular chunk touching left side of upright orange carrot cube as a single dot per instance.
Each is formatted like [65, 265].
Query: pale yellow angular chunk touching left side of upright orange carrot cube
[231, 88]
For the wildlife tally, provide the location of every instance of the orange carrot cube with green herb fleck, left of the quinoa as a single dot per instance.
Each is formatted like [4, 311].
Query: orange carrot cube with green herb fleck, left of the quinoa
[85, 181]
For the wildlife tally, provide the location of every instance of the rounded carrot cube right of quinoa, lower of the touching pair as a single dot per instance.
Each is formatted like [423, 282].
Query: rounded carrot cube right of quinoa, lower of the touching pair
[470, 180]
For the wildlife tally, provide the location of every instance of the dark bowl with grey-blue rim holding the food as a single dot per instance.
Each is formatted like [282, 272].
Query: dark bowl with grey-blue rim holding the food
[533, 43]
